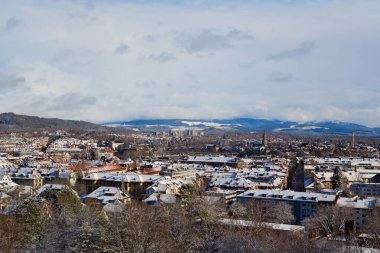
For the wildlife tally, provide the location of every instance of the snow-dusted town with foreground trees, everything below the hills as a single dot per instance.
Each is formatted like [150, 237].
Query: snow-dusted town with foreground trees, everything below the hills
[231, 191]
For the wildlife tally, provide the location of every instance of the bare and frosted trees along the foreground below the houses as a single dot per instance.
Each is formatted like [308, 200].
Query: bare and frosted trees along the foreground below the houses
[59, 222]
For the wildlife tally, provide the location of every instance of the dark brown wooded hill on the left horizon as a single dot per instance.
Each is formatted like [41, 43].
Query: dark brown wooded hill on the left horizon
[14, 122]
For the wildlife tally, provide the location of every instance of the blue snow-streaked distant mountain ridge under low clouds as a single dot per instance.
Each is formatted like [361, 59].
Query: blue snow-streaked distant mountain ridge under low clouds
[252, 125]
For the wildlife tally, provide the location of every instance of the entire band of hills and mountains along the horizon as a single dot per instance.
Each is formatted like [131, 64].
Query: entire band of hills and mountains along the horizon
[14, 122]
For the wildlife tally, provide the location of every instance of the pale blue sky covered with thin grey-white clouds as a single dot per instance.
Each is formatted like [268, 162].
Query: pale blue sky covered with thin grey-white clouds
[196, 59]
